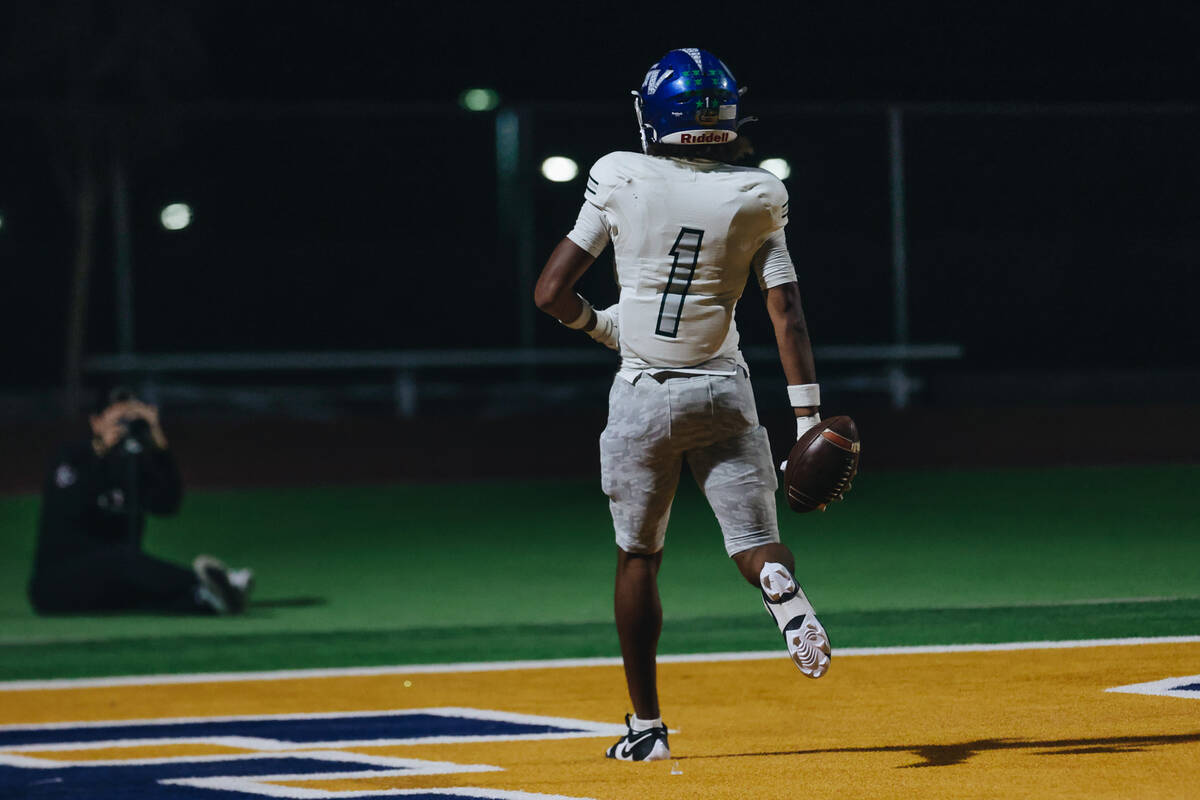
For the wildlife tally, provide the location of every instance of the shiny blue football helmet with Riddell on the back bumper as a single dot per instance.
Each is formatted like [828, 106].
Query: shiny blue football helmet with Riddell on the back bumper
[688, 98]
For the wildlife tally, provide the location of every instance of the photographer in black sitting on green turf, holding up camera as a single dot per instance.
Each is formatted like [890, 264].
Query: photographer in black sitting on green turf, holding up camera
[94, 504]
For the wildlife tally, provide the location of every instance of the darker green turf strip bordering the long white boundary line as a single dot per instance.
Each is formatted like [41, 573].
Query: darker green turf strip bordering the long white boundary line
[191, 654]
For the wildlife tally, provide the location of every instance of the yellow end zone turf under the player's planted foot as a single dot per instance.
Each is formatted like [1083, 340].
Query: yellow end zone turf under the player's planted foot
[1009, 724]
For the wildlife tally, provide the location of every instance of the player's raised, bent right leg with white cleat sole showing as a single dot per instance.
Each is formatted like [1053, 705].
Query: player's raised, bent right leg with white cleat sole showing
[739, 478]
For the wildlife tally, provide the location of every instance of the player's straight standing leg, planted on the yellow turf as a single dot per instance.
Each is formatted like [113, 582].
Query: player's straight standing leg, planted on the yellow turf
[640, 473]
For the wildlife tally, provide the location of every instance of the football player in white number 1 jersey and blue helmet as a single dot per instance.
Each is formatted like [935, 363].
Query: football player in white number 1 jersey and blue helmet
[688, 228]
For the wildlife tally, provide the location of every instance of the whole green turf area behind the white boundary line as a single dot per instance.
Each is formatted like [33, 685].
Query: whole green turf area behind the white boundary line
[411, 574]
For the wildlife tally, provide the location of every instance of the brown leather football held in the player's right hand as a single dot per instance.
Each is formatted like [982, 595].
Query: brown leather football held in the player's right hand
[821, 465]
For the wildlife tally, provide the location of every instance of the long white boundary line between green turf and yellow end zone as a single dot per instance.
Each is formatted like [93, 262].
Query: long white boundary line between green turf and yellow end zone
[557, 664]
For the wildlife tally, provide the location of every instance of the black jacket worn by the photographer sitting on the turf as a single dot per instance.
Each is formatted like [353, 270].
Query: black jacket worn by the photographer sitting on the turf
[93, 504]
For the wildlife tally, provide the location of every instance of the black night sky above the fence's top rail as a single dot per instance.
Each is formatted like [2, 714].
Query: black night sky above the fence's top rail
[376, 50]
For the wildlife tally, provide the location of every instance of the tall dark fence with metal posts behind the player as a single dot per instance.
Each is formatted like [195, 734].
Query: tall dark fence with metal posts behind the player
[329, 239]
